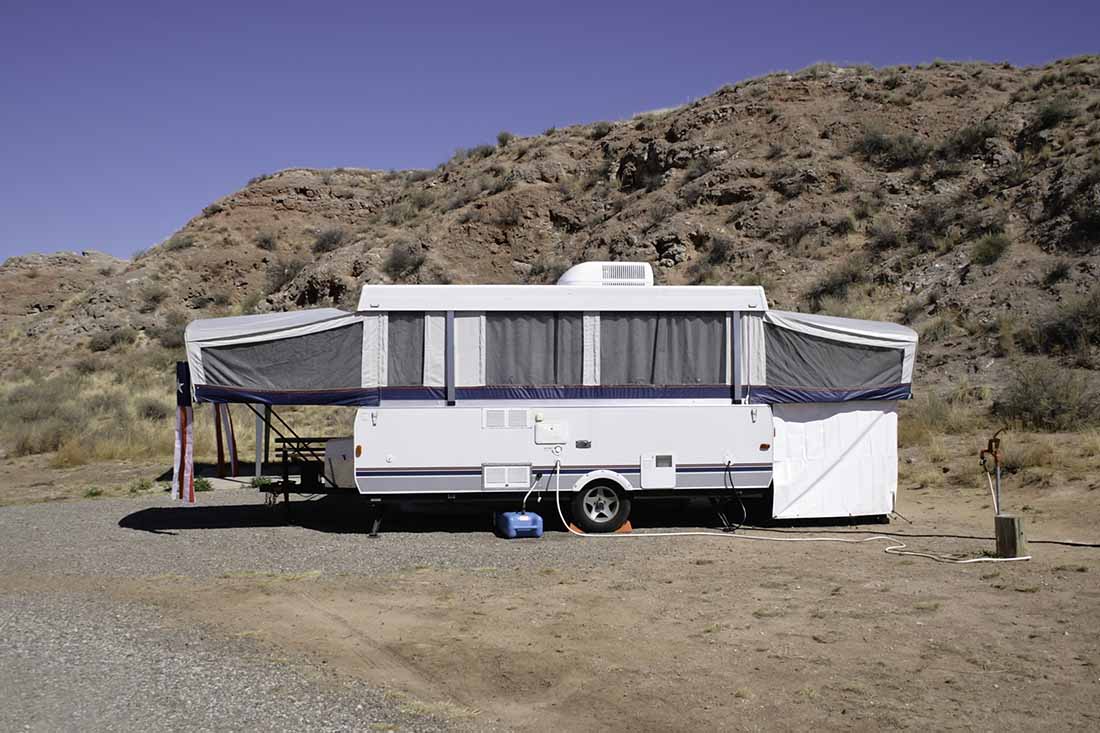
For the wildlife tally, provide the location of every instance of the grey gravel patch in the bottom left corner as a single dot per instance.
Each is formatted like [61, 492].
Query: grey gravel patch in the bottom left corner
[75, 662]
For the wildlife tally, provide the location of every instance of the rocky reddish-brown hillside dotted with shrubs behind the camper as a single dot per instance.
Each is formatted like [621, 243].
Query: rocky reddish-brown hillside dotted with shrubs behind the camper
[961, 199]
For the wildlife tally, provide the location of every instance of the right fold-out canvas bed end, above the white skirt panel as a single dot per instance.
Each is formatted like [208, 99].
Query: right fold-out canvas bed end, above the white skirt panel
[802, 358]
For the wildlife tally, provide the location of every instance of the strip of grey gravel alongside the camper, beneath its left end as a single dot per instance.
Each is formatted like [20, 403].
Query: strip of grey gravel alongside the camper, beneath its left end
[151, 535]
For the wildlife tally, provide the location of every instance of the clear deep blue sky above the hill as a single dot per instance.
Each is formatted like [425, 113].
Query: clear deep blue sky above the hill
[122, 121]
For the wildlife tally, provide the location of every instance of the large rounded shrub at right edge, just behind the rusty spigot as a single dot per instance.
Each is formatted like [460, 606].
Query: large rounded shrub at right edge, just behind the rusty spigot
[1049, 398]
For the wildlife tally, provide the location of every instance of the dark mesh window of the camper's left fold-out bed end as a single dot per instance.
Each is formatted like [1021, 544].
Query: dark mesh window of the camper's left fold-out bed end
[325, 360]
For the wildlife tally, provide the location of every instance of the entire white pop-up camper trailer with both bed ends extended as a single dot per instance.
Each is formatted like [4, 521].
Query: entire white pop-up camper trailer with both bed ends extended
[603, 385]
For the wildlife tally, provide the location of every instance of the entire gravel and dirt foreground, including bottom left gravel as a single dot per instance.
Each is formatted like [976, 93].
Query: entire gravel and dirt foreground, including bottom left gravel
[84, 652]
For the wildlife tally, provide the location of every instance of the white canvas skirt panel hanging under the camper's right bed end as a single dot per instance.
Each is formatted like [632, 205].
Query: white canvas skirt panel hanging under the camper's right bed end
[835, 460]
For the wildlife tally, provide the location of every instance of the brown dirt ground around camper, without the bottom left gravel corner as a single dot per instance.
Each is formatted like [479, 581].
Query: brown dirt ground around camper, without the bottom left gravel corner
[570, 633]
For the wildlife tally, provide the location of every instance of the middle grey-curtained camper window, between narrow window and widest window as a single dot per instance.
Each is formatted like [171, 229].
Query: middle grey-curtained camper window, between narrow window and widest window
[534, 348]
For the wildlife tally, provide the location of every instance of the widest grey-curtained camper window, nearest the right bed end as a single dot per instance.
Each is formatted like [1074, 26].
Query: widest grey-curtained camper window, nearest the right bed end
[663, 348]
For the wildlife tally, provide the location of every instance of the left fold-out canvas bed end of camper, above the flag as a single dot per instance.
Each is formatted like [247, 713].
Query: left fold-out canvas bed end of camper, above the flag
[305, 357]
